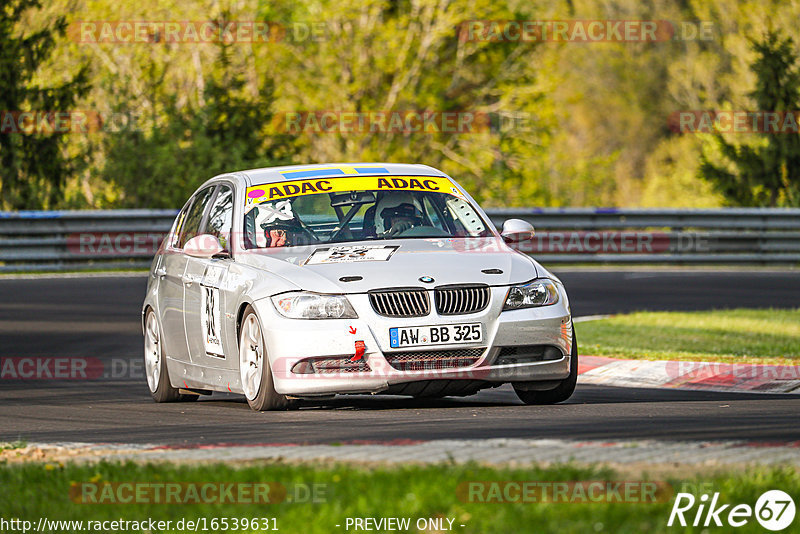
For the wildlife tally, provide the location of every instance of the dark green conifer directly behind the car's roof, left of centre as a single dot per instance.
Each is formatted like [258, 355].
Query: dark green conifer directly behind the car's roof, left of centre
[160, 166]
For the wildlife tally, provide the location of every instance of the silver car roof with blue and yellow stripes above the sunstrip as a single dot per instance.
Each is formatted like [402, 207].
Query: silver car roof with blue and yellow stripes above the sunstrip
[270, 175]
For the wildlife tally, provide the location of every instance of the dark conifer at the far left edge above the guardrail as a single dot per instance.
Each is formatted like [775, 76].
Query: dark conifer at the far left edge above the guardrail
[33, 167]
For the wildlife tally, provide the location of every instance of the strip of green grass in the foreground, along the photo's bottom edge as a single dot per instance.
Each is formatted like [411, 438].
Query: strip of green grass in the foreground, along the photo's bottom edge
[33, 490]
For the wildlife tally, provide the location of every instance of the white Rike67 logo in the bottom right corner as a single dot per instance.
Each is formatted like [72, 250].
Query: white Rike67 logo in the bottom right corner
[774, 510]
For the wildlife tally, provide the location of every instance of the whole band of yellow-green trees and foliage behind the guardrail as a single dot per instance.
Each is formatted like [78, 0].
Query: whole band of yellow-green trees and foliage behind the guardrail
[594, 116]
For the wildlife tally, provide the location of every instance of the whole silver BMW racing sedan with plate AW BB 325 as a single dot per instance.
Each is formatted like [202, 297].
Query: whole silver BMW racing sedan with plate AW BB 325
[304, 282]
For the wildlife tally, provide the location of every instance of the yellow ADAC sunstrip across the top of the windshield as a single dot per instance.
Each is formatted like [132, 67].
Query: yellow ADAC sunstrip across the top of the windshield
[339, 184]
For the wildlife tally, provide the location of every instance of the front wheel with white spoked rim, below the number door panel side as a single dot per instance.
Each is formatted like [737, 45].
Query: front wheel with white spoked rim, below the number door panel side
[254, 370]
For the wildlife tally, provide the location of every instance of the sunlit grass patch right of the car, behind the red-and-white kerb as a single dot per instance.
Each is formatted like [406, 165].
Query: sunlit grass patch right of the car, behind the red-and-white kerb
[732, 336]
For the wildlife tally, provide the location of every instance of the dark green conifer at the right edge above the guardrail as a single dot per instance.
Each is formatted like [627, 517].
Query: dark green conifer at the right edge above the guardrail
[766, 174]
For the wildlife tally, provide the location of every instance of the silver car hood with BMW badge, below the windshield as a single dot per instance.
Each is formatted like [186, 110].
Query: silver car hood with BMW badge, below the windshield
[447, 261]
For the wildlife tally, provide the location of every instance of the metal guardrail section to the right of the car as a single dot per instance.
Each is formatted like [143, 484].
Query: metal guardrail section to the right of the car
[709, 236]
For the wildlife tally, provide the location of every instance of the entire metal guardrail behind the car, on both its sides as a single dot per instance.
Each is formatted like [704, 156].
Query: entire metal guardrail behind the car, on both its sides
[111, 239]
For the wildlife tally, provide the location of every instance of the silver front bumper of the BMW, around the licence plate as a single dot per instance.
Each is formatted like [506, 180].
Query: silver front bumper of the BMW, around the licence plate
[288, 341]
